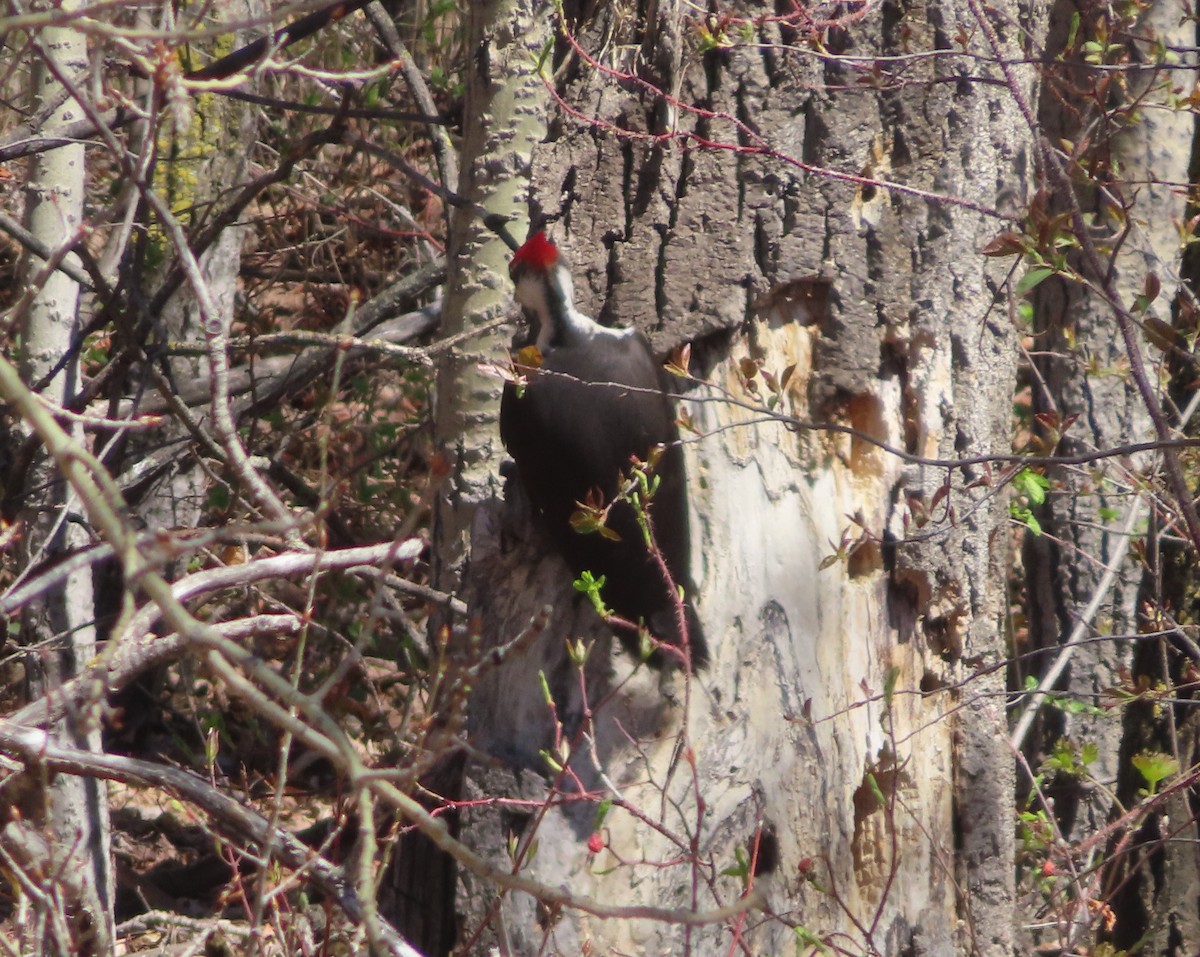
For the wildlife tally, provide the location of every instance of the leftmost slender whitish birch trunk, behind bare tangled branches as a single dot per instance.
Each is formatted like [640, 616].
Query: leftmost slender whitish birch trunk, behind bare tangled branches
[74, 912]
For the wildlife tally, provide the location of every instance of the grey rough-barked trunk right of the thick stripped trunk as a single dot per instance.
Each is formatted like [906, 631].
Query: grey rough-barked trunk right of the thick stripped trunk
[1081, 371]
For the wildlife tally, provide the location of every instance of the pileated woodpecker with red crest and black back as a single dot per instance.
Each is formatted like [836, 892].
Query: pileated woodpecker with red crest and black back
[598, 400]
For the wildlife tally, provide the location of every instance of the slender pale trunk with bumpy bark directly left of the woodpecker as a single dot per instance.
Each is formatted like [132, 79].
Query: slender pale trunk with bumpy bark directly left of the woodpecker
[503, 124]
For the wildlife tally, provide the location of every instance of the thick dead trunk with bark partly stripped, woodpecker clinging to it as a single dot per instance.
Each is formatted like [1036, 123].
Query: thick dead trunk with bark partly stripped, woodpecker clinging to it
[879, 302]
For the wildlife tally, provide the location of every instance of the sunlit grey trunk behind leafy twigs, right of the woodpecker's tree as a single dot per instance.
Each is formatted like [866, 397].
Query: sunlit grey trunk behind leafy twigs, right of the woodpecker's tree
[1083, 580]
